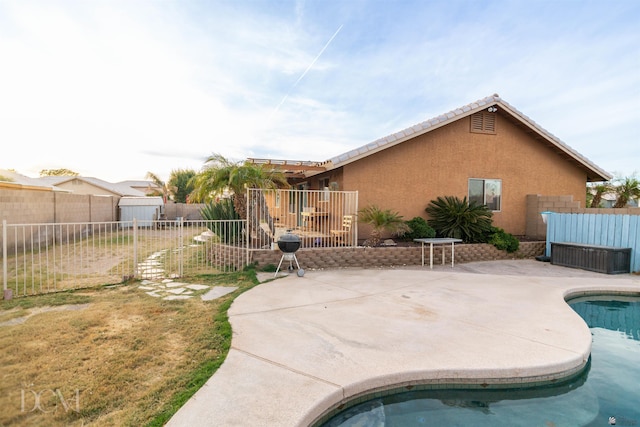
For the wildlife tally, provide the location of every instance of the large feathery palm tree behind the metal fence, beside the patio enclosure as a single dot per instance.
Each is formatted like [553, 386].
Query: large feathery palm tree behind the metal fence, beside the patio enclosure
[221, 175]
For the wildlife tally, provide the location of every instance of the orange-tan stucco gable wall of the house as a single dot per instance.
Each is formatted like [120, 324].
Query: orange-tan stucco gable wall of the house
[408, 176]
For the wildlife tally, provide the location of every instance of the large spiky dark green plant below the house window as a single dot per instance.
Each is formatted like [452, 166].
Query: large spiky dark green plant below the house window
[452, 217]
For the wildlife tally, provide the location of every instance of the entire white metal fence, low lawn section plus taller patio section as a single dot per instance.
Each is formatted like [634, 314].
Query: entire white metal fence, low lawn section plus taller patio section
[41, 258]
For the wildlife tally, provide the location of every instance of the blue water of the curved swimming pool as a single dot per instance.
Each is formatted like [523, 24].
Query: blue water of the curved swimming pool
[608, 387]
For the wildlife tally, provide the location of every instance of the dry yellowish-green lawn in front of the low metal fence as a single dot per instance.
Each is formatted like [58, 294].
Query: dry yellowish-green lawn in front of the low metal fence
[110, 356]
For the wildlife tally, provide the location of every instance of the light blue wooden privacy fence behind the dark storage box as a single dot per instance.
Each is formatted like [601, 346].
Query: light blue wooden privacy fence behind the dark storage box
[621, 231]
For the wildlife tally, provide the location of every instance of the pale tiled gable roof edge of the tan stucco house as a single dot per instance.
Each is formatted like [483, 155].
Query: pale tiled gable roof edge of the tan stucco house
[594, 173]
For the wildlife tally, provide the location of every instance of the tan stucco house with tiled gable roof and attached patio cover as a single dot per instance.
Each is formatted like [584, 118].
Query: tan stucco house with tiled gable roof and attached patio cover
[487, 151]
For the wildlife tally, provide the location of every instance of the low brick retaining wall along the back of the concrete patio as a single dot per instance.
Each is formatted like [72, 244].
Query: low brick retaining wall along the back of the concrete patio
[316, 258]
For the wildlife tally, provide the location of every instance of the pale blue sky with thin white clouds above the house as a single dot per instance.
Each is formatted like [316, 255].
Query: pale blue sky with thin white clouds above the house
[115, 89]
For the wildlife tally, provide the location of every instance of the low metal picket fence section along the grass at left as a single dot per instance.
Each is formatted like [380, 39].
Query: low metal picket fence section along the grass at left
[41, 258]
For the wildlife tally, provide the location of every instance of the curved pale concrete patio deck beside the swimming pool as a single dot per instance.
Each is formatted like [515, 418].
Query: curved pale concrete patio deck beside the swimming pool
[302, 346]
